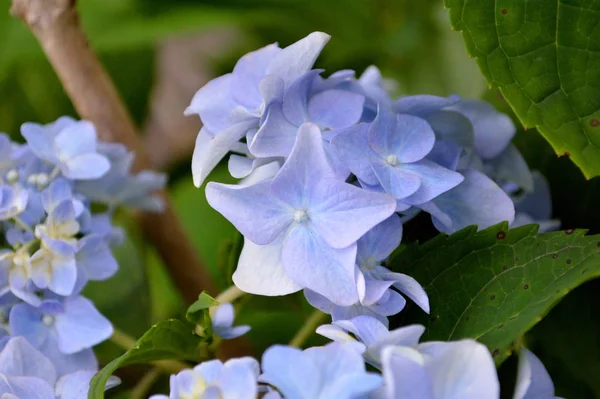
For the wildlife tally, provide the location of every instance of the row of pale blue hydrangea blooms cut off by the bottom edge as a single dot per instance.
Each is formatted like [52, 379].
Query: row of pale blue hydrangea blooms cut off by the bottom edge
[406, 369]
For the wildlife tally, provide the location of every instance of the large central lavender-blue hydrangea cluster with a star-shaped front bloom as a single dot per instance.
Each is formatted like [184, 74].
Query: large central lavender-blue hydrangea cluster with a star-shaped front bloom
[332, 167]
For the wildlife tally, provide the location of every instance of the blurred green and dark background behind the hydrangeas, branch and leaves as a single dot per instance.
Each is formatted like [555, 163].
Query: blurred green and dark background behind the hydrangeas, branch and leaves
[160, 52]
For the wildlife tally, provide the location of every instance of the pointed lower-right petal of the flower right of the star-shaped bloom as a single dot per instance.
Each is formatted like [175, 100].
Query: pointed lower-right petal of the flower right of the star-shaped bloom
[435, 180]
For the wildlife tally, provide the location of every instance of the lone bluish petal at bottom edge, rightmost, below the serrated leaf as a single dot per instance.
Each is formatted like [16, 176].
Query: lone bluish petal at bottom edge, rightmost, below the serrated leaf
[533, 381]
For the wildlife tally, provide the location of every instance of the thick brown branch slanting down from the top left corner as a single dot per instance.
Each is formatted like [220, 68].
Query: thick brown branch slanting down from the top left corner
[56, 25]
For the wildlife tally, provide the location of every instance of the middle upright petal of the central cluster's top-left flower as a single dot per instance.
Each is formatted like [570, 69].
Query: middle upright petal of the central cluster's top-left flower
[247, 75]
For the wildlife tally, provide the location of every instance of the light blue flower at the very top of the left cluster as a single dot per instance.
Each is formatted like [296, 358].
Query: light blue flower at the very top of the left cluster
[69, 145]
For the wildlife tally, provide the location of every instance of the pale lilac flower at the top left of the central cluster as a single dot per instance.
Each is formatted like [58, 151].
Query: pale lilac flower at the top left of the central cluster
[232, 105]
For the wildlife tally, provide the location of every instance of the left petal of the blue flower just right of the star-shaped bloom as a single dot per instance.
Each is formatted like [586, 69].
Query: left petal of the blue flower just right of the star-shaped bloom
[352, 147]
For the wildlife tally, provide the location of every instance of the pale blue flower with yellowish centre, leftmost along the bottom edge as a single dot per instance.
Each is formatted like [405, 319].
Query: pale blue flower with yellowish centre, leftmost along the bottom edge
[234, 379]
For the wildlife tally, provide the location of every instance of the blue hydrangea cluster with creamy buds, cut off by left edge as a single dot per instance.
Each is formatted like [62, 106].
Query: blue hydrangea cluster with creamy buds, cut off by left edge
[53, 244]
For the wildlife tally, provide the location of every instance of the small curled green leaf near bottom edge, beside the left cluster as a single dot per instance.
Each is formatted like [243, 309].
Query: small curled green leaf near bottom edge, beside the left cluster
[169, 339]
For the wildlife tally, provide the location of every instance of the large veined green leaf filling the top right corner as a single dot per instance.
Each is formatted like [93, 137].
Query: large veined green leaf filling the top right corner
[545, 57]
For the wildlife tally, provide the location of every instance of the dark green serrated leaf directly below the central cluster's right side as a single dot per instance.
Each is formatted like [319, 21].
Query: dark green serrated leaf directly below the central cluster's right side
[496, 284]
